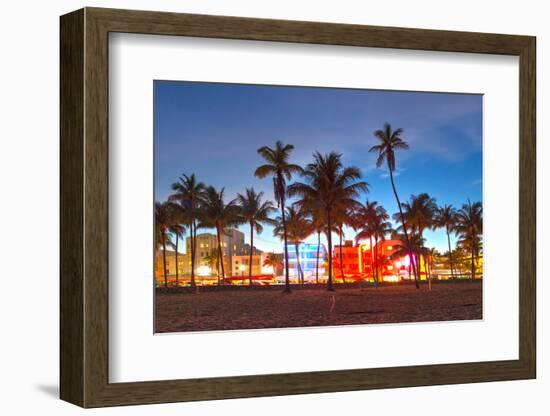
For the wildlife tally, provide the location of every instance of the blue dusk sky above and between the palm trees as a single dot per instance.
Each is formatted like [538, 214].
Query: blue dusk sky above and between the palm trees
[214, 129]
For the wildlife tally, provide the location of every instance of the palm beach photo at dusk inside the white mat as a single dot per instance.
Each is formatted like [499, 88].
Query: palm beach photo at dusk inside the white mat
[279, 206]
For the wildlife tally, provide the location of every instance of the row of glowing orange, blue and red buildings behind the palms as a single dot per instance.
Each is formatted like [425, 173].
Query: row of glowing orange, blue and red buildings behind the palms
[350, 261]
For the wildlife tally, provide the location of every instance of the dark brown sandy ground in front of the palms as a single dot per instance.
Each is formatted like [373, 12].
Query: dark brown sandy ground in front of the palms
[248, 309]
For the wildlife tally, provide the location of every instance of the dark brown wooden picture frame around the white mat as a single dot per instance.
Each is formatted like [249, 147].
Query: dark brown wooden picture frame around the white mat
[84, 207]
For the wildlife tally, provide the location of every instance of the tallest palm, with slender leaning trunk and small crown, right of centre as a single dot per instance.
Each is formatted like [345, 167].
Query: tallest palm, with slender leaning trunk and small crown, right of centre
[390, 141]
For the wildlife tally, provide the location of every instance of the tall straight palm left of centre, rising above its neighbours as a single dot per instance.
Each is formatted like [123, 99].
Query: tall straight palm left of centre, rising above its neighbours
[281, 169]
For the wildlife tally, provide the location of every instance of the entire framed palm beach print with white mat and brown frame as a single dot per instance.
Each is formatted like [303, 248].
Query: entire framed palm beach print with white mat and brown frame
[256, 207]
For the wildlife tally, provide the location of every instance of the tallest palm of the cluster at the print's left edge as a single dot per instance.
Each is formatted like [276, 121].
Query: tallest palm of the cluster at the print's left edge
[188, 193]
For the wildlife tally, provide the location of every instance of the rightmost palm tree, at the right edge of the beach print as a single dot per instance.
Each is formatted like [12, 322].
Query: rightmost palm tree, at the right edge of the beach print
[469, 226]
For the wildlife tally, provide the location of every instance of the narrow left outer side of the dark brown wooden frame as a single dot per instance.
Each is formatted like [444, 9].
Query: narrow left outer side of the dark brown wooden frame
[71, 208]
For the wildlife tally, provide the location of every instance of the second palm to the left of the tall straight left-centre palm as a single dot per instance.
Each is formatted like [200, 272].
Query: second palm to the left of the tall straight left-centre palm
[219, 215]
